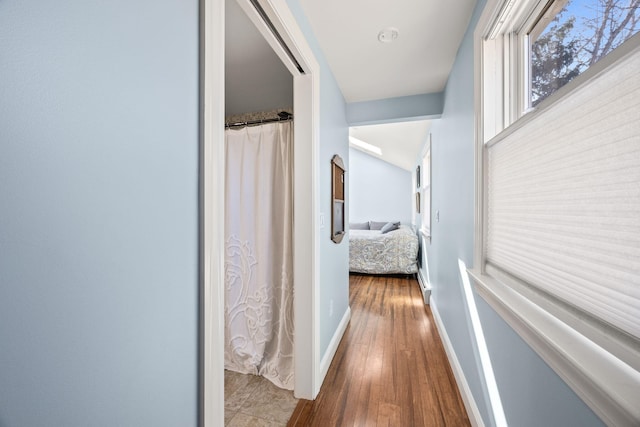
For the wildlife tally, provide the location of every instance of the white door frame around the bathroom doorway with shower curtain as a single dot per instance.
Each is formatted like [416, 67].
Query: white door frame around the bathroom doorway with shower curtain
[306, 234]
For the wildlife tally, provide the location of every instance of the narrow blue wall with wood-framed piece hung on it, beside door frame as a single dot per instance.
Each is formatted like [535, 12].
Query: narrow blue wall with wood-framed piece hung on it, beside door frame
[334, 139]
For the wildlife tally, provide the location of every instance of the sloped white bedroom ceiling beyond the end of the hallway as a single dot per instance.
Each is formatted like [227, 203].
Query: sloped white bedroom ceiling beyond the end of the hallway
[400, 142]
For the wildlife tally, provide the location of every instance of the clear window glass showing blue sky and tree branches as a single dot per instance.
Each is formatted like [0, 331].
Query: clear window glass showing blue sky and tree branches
[578, 36]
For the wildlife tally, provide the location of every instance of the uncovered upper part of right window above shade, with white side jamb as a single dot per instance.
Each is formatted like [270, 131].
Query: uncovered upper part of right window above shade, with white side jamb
[533, 48]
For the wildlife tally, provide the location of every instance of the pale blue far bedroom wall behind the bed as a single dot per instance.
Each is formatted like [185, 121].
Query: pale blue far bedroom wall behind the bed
[378, 190]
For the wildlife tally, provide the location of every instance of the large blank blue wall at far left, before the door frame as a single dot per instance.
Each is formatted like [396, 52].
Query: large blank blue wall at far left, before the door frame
[98, 213]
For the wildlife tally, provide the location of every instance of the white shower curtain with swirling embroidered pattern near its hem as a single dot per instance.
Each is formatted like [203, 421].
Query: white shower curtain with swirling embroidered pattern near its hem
[258, 259]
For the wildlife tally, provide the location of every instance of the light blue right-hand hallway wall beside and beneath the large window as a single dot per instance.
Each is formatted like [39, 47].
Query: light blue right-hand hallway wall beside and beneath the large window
[530, 392]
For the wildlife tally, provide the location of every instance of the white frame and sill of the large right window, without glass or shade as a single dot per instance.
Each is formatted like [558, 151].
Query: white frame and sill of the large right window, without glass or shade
[574, 349]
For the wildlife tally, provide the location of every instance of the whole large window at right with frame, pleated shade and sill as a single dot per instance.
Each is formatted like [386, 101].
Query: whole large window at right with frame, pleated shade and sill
[558, 229]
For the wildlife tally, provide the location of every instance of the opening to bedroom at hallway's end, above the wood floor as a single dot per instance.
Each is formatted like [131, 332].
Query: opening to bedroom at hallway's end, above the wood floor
[386, 196]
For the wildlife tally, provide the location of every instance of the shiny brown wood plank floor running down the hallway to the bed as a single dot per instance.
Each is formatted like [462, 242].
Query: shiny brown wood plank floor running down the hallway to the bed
[390, 368]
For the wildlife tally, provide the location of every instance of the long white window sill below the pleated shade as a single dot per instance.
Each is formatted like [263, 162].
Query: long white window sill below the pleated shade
[606, 384]
